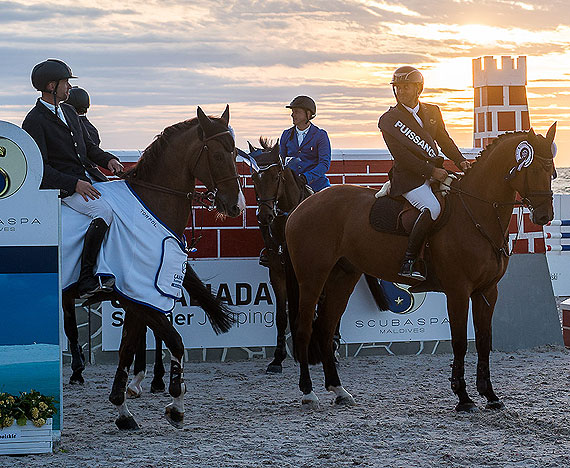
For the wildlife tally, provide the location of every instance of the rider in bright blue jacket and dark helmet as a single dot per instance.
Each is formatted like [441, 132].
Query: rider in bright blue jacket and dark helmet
[305, 148]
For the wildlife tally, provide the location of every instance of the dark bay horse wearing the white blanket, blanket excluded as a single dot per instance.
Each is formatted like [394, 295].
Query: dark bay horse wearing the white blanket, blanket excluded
[164, 180]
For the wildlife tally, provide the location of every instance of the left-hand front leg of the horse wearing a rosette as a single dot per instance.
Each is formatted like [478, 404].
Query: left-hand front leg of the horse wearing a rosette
[457, 309]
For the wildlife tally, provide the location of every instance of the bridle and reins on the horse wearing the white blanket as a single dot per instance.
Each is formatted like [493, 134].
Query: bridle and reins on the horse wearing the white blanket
[206, 198]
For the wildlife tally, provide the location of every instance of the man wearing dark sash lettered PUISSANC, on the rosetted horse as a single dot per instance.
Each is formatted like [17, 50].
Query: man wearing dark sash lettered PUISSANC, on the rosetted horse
[411, 130]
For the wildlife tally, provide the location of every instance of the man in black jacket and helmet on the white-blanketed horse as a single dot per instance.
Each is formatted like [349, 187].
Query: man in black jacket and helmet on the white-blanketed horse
[70, 162]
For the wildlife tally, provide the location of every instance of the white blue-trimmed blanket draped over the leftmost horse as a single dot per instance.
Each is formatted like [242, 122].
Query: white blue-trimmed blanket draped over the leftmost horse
[147, 260]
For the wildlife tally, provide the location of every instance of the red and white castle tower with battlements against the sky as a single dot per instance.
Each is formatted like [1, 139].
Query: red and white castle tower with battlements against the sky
[500, 103]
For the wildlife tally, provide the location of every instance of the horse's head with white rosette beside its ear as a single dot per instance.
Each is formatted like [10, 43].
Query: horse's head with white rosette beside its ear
[532, 173]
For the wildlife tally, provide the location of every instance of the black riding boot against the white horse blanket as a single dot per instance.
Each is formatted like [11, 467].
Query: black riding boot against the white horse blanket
[88, 284]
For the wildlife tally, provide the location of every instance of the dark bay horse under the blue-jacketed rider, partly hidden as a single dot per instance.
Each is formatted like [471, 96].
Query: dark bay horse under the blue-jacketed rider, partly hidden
[278, 192]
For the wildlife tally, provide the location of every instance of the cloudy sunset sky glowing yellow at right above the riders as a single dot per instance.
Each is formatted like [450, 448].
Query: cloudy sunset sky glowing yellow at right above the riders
[148, 64]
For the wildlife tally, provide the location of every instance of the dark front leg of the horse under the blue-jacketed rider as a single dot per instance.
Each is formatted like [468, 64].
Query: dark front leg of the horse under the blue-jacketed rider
[278, 283]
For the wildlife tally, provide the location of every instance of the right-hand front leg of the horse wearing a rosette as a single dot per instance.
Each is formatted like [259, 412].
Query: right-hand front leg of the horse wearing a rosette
[483, 307]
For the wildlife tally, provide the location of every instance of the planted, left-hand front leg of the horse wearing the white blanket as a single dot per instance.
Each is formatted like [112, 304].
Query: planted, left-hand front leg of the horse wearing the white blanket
[133, 328]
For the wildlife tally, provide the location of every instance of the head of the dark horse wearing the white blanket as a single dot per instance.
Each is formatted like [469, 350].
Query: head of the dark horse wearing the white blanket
[215, 164]
